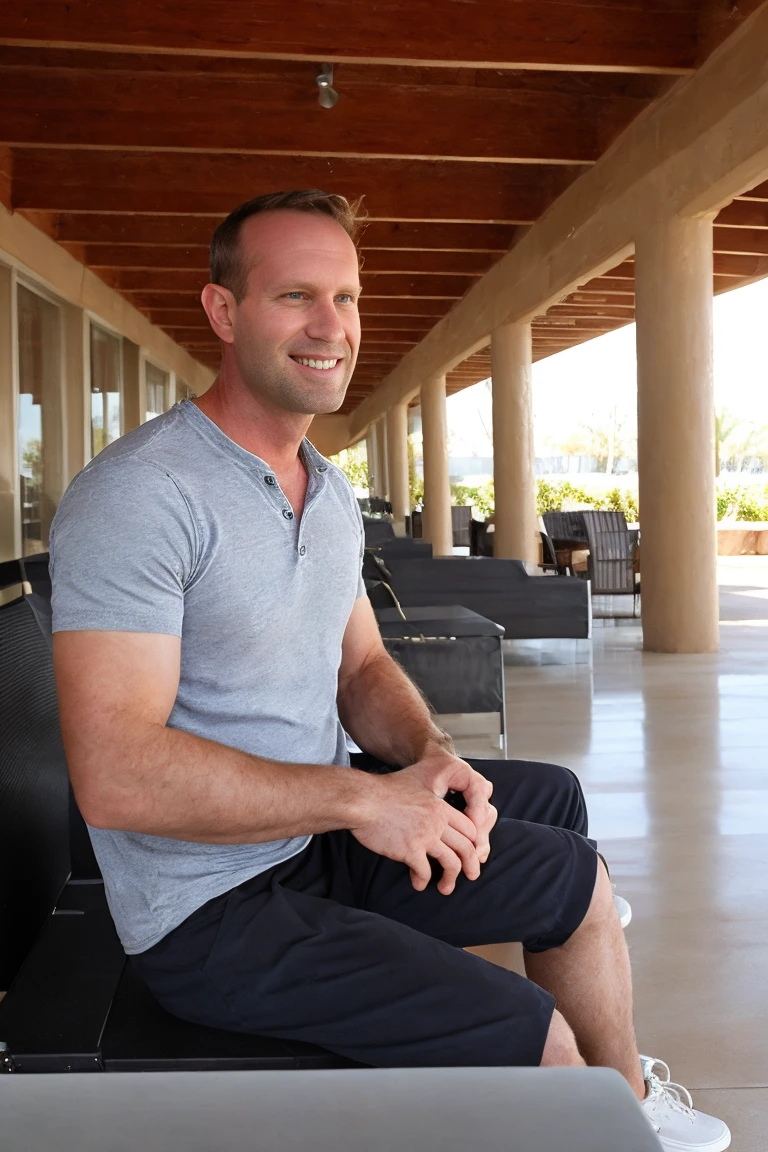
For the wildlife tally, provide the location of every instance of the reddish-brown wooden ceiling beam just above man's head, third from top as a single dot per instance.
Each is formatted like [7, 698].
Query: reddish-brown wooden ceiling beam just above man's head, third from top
[74, 180]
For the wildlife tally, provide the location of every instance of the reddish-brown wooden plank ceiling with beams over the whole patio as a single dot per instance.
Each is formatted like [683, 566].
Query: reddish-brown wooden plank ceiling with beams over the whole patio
[127, 132]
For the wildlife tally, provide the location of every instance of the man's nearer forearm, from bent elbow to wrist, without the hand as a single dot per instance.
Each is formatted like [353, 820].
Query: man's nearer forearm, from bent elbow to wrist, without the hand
[172, 784]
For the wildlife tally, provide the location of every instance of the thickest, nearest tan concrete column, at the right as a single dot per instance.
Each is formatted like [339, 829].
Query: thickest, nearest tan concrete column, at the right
[676, 437]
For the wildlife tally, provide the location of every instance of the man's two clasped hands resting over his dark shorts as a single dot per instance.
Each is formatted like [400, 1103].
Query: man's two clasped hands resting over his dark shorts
[409, 821]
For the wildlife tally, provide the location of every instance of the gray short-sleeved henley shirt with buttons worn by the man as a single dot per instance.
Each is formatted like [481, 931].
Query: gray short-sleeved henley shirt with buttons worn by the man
[178, 530]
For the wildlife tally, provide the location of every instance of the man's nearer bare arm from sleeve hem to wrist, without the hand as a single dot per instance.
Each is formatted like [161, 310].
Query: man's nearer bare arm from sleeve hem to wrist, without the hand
[132, 772]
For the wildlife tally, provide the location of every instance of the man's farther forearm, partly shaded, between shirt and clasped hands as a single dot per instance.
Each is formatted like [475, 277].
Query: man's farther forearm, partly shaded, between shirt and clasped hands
[386, 715]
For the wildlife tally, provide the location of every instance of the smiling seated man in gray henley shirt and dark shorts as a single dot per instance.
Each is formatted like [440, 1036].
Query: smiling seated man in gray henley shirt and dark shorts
[214, 642]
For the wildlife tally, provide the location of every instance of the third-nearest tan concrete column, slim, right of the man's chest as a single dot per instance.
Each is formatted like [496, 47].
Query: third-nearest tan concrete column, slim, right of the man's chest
[437, 486]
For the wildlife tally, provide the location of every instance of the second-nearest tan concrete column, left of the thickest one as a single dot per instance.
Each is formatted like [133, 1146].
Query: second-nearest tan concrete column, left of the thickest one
[514, 474]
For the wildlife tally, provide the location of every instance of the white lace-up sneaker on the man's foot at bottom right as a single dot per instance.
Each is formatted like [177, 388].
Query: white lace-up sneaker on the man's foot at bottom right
[673, 1117]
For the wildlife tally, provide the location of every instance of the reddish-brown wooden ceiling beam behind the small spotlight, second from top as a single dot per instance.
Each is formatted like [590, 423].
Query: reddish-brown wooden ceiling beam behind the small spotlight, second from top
[382, 116]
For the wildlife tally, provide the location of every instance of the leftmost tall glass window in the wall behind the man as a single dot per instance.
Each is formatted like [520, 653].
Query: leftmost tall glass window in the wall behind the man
[40, 380]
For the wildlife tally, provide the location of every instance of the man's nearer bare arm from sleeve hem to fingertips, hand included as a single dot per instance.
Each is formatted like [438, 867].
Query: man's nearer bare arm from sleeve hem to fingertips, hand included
[131, 772]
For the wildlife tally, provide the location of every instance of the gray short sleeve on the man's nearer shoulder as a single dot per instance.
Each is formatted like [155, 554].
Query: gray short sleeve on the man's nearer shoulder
[124, 547]
